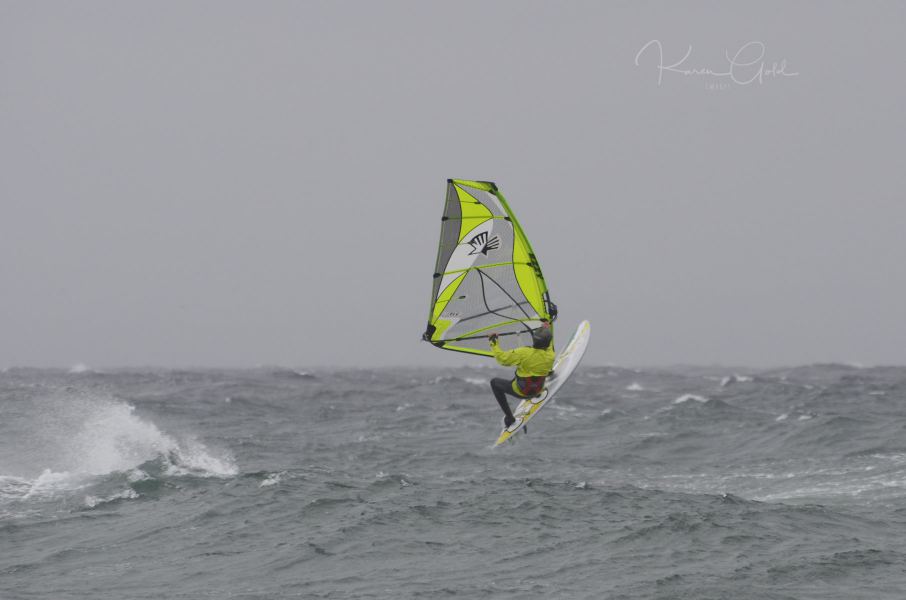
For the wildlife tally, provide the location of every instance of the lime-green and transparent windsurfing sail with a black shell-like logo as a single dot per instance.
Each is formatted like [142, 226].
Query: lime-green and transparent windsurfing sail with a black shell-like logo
[487, 278]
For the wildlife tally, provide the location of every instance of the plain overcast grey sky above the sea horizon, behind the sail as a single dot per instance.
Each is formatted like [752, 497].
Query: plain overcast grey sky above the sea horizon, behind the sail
[238, 183]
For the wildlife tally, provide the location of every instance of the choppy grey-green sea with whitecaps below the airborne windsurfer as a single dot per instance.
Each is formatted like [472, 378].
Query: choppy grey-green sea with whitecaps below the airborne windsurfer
[272, 483]
